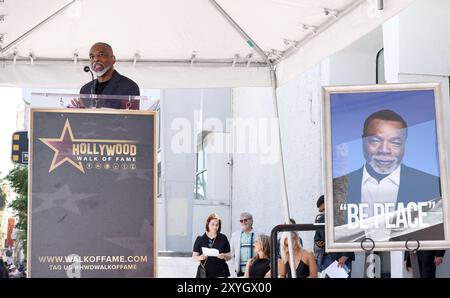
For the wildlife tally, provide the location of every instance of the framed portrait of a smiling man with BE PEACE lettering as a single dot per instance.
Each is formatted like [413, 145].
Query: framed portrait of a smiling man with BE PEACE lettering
[386, 175]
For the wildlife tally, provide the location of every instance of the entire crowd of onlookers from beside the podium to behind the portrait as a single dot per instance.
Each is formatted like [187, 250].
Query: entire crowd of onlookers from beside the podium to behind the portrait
[249, 252]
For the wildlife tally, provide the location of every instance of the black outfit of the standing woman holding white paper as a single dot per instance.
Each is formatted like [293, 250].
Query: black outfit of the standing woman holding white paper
[215, 267]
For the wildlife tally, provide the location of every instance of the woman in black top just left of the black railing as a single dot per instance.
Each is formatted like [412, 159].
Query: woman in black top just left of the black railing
[259, 265]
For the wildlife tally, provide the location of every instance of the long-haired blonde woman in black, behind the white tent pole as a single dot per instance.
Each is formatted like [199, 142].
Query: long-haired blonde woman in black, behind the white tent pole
[305, 262]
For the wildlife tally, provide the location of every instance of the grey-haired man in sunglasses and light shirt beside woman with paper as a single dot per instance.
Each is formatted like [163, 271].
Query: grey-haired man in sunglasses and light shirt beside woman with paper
[243, 243]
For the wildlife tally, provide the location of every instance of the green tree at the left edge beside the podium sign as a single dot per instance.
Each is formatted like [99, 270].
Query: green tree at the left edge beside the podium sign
[18, 180]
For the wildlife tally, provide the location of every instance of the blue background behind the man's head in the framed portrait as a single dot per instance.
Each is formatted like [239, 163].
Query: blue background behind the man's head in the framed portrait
[350, 110]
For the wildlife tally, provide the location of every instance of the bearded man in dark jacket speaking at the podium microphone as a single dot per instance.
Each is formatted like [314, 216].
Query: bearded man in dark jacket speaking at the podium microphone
[109, 81]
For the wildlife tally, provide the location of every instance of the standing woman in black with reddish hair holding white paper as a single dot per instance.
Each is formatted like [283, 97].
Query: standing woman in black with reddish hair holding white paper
[215, 266]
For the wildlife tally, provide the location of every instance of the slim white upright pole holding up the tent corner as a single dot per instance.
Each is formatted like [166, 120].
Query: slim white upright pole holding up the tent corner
[284, 195]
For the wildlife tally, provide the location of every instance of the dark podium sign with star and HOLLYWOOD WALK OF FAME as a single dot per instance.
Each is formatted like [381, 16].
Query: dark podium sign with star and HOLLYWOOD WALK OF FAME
[92, 192]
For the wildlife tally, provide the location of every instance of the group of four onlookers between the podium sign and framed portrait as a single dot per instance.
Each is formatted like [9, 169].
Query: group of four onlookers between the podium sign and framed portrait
[248, 252]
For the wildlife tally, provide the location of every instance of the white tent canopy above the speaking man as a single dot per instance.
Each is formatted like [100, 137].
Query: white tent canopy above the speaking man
[179, 43]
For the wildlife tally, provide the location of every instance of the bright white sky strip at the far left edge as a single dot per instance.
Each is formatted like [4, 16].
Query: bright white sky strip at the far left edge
[10, 98]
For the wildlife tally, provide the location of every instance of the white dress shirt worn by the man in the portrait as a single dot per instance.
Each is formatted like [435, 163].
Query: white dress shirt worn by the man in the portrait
[385, 191]
